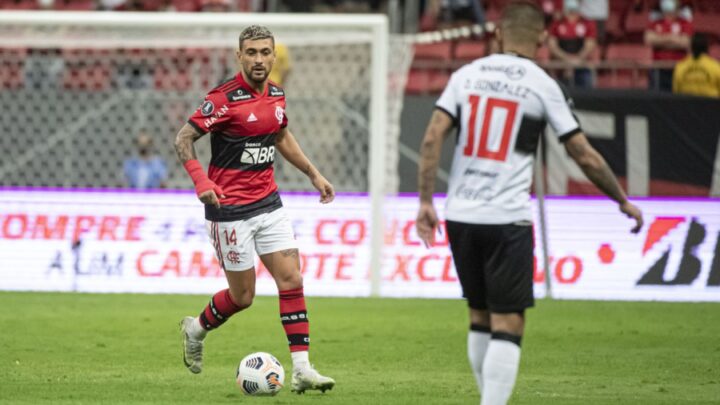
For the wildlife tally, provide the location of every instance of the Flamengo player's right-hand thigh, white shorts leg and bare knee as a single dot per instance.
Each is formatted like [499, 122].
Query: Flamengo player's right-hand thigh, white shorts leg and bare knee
[275, 243]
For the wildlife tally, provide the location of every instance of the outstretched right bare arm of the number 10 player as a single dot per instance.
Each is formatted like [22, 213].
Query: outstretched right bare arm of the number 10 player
[599, 173]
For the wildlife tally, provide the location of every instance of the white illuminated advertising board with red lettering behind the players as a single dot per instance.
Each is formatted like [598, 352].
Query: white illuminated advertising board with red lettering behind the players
[155, 242]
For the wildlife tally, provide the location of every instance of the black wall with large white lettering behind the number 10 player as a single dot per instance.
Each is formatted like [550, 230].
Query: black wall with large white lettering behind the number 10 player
[657, 144]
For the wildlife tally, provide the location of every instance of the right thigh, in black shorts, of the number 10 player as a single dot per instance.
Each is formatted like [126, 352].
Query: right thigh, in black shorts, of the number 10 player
[509, 268]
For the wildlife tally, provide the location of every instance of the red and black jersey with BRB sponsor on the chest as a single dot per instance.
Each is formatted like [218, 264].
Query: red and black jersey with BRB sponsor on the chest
[243, 125]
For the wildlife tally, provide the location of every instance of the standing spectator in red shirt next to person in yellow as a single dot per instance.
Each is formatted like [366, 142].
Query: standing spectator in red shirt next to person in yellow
[670, 38]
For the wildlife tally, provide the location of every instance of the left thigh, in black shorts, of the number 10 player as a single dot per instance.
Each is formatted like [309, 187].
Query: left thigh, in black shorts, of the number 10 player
[467, 251]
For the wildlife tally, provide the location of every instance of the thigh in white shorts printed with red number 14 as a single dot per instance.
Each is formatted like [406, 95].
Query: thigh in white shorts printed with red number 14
[233, 244]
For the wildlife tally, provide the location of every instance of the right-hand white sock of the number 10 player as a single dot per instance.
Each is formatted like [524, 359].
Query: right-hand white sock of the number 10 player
[500, 368]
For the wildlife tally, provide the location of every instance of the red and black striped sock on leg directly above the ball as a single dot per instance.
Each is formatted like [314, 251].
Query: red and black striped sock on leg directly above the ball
[294, 318]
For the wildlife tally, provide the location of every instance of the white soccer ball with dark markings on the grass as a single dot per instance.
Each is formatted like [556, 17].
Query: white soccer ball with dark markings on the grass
[260, 374]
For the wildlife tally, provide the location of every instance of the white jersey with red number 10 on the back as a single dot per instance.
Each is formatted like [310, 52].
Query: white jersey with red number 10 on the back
[501, 104]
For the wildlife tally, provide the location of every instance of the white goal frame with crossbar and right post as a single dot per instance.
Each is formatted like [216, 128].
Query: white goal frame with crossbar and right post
[375, 25]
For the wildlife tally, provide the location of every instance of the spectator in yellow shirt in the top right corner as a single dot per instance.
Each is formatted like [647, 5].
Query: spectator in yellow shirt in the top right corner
[698, 74]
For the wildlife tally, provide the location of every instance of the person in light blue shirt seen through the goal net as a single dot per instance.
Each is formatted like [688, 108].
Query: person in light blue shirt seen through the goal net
[147, 170]
